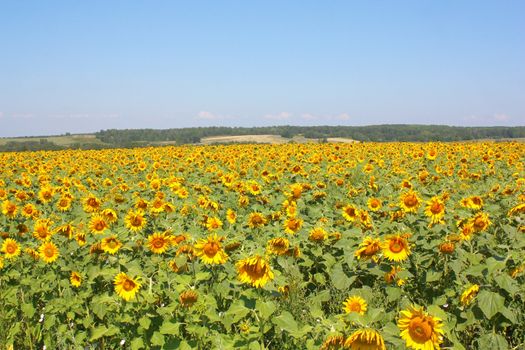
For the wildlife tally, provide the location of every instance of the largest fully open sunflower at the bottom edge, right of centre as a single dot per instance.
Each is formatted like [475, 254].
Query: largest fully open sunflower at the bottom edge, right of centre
[420, 330]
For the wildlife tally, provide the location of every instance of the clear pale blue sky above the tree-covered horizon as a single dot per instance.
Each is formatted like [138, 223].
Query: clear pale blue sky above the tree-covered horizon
[82, 66]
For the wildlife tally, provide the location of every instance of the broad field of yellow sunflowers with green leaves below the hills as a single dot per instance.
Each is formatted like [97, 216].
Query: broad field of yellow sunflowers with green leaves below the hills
[296, 246]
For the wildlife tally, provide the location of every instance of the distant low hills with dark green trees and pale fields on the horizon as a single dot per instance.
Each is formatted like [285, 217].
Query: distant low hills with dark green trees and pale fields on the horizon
[272, 134]
